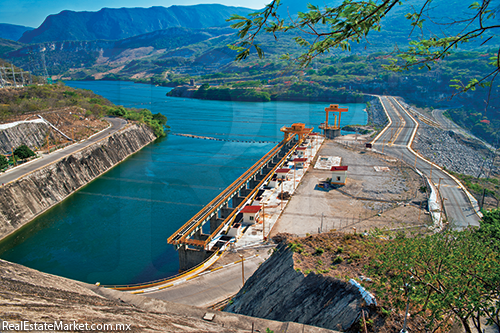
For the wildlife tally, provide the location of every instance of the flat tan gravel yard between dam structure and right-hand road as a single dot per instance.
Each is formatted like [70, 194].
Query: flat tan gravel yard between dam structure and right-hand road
[358, 205]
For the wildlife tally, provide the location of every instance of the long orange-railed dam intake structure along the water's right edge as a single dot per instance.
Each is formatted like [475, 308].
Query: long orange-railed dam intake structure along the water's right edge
[193, 245]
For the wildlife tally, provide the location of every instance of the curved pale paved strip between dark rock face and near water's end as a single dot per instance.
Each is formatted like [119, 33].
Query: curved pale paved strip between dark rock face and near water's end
[210, 288]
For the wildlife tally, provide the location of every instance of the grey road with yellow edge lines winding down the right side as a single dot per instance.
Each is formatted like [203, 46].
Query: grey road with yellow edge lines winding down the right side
[458, 209]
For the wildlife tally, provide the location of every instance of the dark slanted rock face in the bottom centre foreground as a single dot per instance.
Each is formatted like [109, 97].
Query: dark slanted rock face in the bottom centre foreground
[277, 292]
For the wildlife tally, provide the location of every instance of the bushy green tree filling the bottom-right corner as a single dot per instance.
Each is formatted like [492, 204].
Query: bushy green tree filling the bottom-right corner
[449, 274]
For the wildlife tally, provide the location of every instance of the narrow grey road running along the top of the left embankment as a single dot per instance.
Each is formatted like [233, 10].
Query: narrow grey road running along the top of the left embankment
[116, 125]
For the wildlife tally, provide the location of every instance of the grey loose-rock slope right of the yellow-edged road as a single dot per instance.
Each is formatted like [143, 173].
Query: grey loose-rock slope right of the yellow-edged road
[453, 151]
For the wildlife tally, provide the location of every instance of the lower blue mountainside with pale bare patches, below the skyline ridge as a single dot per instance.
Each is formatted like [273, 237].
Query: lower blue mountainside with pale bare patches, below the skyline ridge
[153, 50]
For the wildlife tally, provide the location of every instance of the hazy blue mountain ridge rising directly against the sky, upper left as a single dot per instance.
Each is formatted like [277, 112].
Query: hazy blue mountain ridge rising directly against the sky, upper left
[116, 24]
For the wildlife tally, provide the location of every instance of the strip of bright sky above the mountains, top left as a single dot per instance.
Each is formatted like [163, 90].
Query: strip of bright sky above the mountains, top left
[32, 13]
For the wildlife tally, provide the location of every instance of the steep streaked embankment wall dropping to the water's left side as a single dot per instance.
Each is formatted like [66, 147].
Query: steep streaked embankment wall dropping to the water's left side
[27, 197]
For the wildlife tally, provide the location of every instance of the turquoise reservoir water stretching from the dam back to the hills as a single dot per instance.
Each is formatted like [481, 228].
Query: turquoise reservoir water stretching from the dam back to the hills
[115, 229]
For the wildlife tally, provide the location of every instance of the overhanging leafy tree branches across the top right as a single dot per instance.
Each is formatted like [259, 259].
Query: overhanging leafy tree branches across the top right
[351, 21]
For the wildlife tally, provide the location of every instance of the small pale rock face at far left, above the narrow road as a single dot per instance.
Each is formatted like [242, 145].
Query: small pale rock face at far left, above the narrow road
[30, 134]
